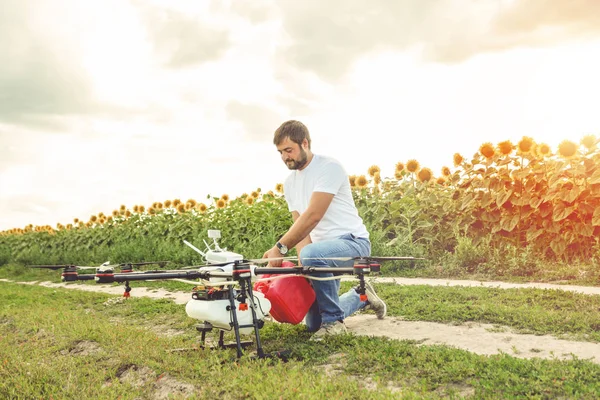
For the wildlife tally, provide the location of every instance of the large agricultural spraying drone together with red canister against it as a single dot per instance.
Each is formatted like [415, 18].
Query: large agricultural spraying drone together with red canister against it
[223, 296]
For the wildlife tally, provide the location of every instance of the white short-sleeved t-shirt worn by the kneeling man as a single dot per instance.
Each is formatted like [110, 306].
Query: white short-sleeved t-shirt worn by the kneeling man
[325, 174]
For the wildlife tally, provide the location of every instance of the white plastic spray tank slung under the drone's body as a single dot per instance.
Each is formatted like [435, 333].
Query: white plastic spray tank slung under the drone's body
[218, 313]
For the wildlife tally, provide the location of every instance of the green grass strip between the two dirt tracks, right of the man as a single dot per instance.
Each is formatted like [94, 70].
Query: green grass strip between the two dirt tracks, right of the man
[535, 311]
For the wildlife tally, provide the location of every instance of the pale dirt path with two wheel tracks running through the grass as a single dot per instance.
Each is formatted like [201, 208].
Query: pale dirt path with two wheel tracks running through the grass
[474, 337]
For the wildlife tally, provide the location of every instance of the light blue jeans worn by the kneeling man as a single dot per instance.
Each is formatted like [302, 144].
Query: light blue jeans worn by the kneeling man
[329, 306]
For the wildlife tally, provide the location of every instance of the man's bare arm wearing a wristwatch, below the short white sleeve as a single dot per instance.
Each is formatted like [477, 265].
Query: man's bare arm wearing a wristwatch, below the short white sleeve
[304, 224]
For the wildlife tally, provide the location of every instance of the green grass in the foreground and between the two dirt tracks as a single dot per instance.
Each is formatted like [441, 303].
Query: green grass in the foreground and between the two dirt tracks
[57, 343]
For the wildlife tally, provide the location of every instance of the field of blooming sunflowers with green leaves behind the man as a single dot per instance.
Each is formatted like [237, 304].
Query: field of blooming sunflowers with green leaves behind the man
[509, 207]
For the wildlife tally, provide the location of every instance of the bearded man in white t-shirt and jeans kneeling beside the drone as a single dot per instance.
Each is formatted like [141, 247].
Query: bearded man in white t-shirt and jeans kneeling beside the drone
[326, 224]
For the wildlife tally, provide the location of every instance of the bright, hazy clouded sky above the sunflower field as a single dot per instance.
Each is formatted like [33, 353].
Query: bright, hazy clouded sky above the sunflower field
[136, 122]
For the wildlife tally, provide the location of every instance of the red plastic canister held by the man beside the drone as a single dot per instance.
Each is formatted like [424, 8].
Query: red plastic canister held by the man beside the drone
[290, 297]
